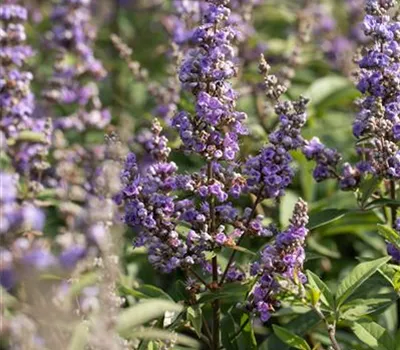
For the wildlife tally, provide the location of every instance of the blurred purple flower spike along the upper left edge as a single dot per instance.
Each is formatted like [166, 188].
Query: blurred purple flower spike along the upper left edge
[16, 99]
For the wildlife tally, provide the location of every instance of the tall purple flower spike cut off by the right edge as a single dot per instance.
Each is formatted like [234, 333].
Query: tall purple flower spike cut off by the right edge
[377, 121]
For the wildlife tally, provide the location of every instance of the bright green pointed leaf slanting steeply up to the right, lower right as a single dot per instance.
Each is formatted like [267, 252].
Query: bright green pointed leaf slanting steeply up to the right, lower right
[357, 277]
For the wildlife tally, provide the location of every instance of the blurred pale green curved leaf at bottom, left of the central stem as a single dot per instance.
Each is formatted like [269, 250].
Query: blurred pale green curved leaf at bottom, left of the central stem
[144, 312]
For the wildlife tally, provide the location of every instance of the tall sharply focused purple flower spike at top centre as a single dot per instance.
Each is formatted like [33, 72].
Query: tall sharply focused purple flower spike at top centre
[213, 132]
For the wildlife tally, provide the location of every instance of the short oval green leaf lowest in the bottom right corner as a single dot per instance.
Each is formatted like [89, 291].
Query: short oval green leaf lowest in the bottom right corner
[374, 335]
